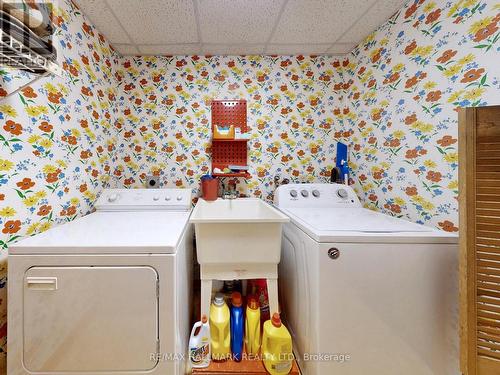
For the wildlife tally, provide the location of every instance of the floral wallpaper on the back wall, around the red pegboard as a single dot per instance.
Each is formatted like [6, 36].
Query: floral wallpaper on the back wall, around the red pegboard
[292, 109]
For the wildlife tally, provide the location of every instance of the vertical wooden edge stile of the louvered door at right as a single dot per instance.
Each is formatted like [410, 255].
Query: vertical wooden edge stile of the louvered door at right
[467, 192]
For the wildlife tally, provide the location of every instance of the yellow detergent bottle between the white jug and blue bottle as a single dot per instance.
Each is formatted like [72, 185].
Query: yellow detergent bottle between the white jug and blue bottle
[220, 334]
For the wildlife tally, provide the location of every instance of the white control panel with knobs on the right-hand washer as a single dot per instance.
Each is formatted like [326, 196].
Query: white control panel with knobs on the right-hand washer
[315, 195]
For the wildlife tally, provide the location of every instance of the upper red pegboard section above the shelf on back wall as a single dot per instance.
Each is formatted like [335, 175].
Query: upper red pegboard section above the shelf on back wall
[230, 112]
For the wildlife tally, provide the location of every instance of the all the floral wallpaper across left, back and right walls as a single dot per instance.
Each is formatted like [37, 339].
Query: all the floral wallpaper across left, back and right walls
[112, 120]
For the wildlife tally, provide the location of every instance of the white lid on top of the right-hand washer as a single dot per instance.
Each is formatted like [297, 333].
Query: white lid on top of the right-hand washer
[354, 220]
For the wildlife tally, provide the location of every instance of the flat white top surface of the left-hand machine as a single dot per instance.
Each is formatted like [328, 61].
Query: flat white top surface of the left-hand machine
[140, 232]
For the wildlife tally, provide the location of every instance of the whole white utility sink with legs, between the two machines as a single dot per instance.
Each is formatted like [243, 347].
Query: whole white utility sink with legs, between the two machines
[238, 239]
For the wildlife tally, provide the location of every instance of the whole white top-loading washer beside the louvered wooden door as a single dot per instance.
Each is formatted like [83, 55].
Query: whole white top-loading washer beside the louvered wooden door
[363, 292]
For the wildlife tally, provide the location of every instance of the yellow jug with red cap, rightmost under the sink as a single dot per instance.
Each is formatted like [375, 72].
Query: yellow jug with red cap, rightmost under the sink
[277, 347]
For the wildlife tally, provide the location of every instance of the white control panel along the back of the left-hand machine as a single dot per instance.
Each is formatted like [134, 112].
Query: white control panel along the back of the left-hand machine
[144, 200]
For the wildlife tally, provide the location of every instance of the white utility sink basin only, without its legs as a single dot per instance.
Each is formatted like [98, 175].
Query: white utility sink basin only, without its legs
[237, 231]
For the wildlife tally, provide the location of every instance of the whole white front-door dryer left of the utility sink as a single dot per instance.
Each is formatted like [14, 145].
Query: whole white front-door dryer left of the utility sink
[108, 293]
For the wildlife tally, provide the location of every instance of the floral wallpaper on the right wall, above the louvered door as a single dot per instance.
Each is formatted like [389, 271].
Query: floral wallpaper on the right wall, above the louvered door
[406, 81]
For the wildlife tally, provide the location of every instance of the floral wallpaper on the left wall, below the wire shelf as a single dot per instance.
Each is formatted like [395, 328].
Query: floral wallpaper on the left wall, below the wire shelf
[57, 138]
